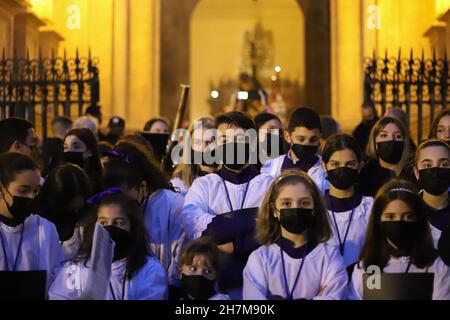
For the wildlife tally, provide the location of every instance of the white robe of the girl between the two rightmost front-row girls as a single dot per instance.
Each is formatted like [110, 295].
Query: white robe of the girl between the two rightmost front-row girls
[357, 232]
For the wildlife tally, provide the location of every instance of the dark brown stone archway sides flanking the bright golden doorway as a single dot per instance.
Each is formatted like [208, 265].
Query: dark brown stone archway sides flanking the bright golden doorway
[175, 37]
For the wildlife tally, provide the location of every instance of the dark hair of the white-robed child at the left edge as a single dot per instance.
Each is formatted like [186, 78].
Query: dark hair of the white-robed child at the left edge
[11, 163]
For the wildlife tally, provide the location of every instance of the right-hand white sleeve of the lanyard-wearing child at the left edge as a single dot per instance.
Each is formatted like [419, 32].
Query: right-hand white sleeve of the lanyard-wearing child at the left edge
[51, 254]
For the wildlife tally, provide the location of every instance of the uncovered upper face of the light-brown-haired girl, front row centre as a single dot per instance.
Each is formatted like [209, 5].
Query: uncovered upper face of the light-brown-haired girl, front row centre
[294, 196]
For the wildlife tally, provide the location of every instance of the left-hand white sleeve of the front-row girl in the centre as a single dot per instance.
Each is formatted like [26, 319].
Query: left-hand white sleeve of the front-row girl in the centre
[255, 282]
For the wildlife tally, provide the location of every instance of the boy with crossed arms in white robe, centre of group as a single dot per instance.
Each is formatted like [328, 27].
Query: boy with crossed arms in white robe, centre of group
[223, 205]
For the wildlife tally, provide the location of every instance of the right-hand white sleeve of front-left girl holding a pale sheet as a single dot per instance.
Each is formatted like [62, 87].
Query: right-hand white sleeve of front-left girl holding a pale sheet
[153, 285]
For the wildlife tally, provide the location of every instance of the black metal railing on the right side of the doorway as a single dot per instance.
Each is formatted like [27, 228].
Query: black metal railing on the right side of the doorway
[420, 86]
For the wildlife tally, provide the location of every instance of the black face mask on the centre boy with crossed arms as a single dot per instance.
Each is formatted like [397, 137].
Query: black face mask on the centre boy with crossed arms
[238, 157]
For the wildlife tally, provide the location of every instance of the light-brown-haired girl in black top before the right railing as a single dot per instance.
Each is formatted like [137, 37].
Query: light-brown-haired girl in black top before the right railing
[389, 154]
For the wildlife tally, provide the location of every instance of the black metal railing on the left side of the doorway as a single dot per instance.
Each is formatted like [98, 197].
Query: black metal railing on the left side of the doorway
[47, 87]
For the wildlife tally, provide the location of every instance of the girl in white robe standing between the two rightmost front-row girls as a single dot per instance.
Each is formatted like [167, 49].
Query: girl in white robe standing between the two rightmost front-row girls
[347, 208]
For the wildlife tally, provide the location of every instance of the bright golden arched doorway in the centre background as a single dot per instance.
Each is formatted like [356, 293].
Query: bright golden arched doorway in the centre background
[220, 36]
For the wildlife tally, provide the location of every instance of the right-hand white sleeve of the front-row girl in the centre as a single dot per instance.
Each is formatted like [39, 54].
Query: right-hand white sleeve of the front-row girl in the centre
[334, 284]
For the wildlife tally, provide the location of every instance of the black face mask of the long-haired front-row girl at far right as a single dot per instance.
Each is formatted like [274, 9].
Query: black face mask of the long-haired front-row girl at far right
[400, 233]
